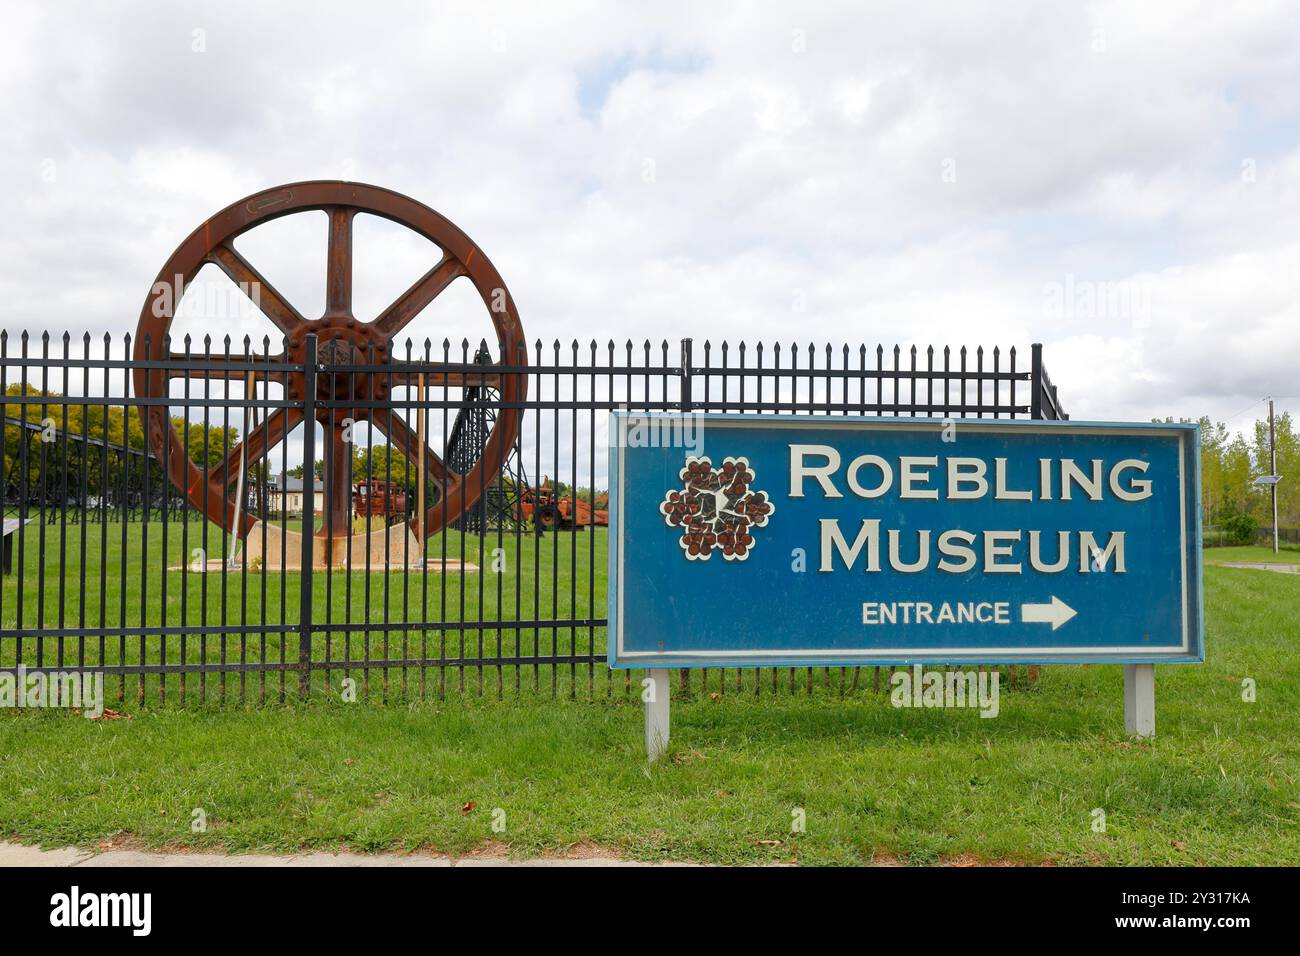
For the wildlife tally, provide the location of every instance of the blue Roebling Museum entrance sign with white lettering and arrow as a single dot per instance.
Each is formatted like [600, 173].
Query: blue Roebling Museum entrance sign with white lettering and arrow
[743, 540]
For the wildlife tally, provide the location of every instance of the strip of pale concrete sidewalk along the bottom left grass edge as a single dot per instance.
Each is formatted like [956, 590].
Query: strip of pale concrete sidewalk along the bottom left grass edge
[18, 855]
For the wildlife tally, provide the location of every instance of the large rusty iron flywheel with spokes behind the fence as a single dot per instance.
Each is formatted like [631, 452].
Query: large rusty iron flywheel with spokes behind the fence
[343, 339]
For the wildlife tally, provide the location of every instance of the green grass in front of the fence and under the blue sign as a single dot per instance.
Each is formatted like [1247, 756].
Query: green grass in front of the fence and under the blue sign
[1220, 785]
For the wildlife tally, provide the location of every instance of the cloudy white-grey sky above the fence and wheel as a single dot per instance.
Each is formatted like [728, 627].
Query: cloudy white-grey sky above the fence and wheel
[1119, 181]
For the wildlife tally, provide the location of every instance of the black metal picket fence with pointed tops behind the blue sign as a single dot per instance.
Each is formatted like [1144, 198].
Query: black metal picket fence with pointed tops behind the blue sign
[253, 581]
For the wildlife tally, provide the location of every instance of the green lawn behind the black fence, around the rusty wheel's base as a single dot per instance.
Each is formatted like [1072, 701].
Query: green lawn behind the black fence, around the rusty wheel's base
[135, 577]
